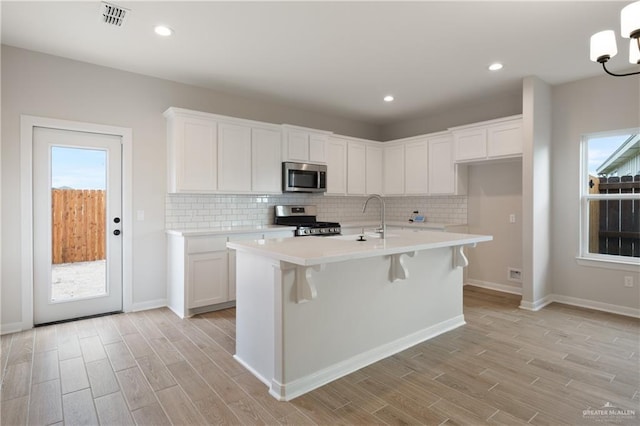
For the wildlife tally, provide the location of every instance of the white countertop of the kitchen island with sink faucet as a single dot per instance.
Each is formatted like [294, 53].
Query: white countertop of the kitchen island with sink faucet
[310, 251]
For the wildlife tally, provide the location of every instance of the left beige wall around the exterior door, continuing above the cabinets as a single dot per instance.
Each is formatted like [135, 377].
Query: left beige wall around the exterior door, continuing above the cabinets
[49, 86]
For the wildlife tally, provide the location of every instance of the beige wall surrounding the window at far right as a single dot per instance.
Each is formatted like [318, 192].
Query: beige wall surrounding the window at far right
[587, 106]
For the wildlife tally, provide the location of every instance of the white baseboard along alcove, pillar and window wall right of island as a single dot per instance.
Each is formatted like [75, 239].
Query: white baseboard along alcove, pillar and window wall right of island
[558, 298]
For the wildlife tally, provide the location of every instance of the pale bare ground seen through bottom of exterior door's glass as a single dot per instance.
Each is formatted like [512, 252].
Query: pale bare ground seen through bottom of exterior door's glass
[78, 280]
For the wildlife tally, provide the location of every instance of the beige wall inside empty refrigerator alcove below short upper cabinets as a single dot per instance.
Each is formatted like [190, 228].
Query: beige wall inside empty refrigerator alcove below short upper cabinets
[494, 193]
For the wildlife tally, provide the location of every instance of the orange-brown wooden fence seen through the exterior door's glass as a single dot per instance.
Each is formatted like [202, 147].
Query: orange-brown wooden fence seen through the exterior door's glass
[78, 218]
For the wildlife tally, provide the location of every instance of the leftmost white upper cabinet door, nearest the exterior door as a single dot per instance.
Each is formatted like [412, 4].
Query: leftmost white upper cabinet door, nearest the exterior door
[195, 152]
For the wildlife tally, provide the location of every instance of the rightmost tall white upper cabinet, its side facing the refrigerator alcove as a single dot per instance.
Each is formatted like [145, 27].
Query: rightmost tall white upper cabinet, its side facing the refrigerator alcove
[445, 177]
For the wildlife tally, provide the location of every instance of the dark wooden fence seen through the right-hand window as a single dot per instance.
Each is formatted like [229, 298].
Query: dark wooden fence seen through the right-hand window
[617, 222]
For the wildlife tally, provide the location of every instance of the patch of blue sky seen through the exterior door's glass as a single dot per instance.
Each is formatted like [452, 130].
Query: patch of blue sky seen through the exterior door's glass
[78, 168]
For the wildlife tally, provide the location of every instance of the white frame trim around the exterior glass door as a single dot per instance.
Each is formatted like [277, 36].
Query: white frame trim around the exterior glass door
[27, 123]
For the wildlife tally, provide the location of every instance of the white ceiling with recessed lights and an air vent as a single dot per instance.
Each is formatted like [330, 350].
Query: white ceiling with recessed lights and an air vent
[332, 57]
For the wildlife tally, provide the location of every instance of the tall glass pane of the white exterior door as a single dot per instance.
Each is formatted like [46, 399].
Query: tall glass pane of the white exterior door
[78, 211]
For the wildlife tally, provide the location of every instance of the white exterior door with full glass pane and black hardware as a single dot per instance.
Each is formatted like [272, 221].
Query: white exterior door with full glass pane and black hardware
[77, 204]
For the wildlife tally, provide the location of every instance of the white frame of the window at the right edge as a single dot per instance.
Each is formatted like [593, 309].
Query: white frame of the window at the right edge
[585, 257]
